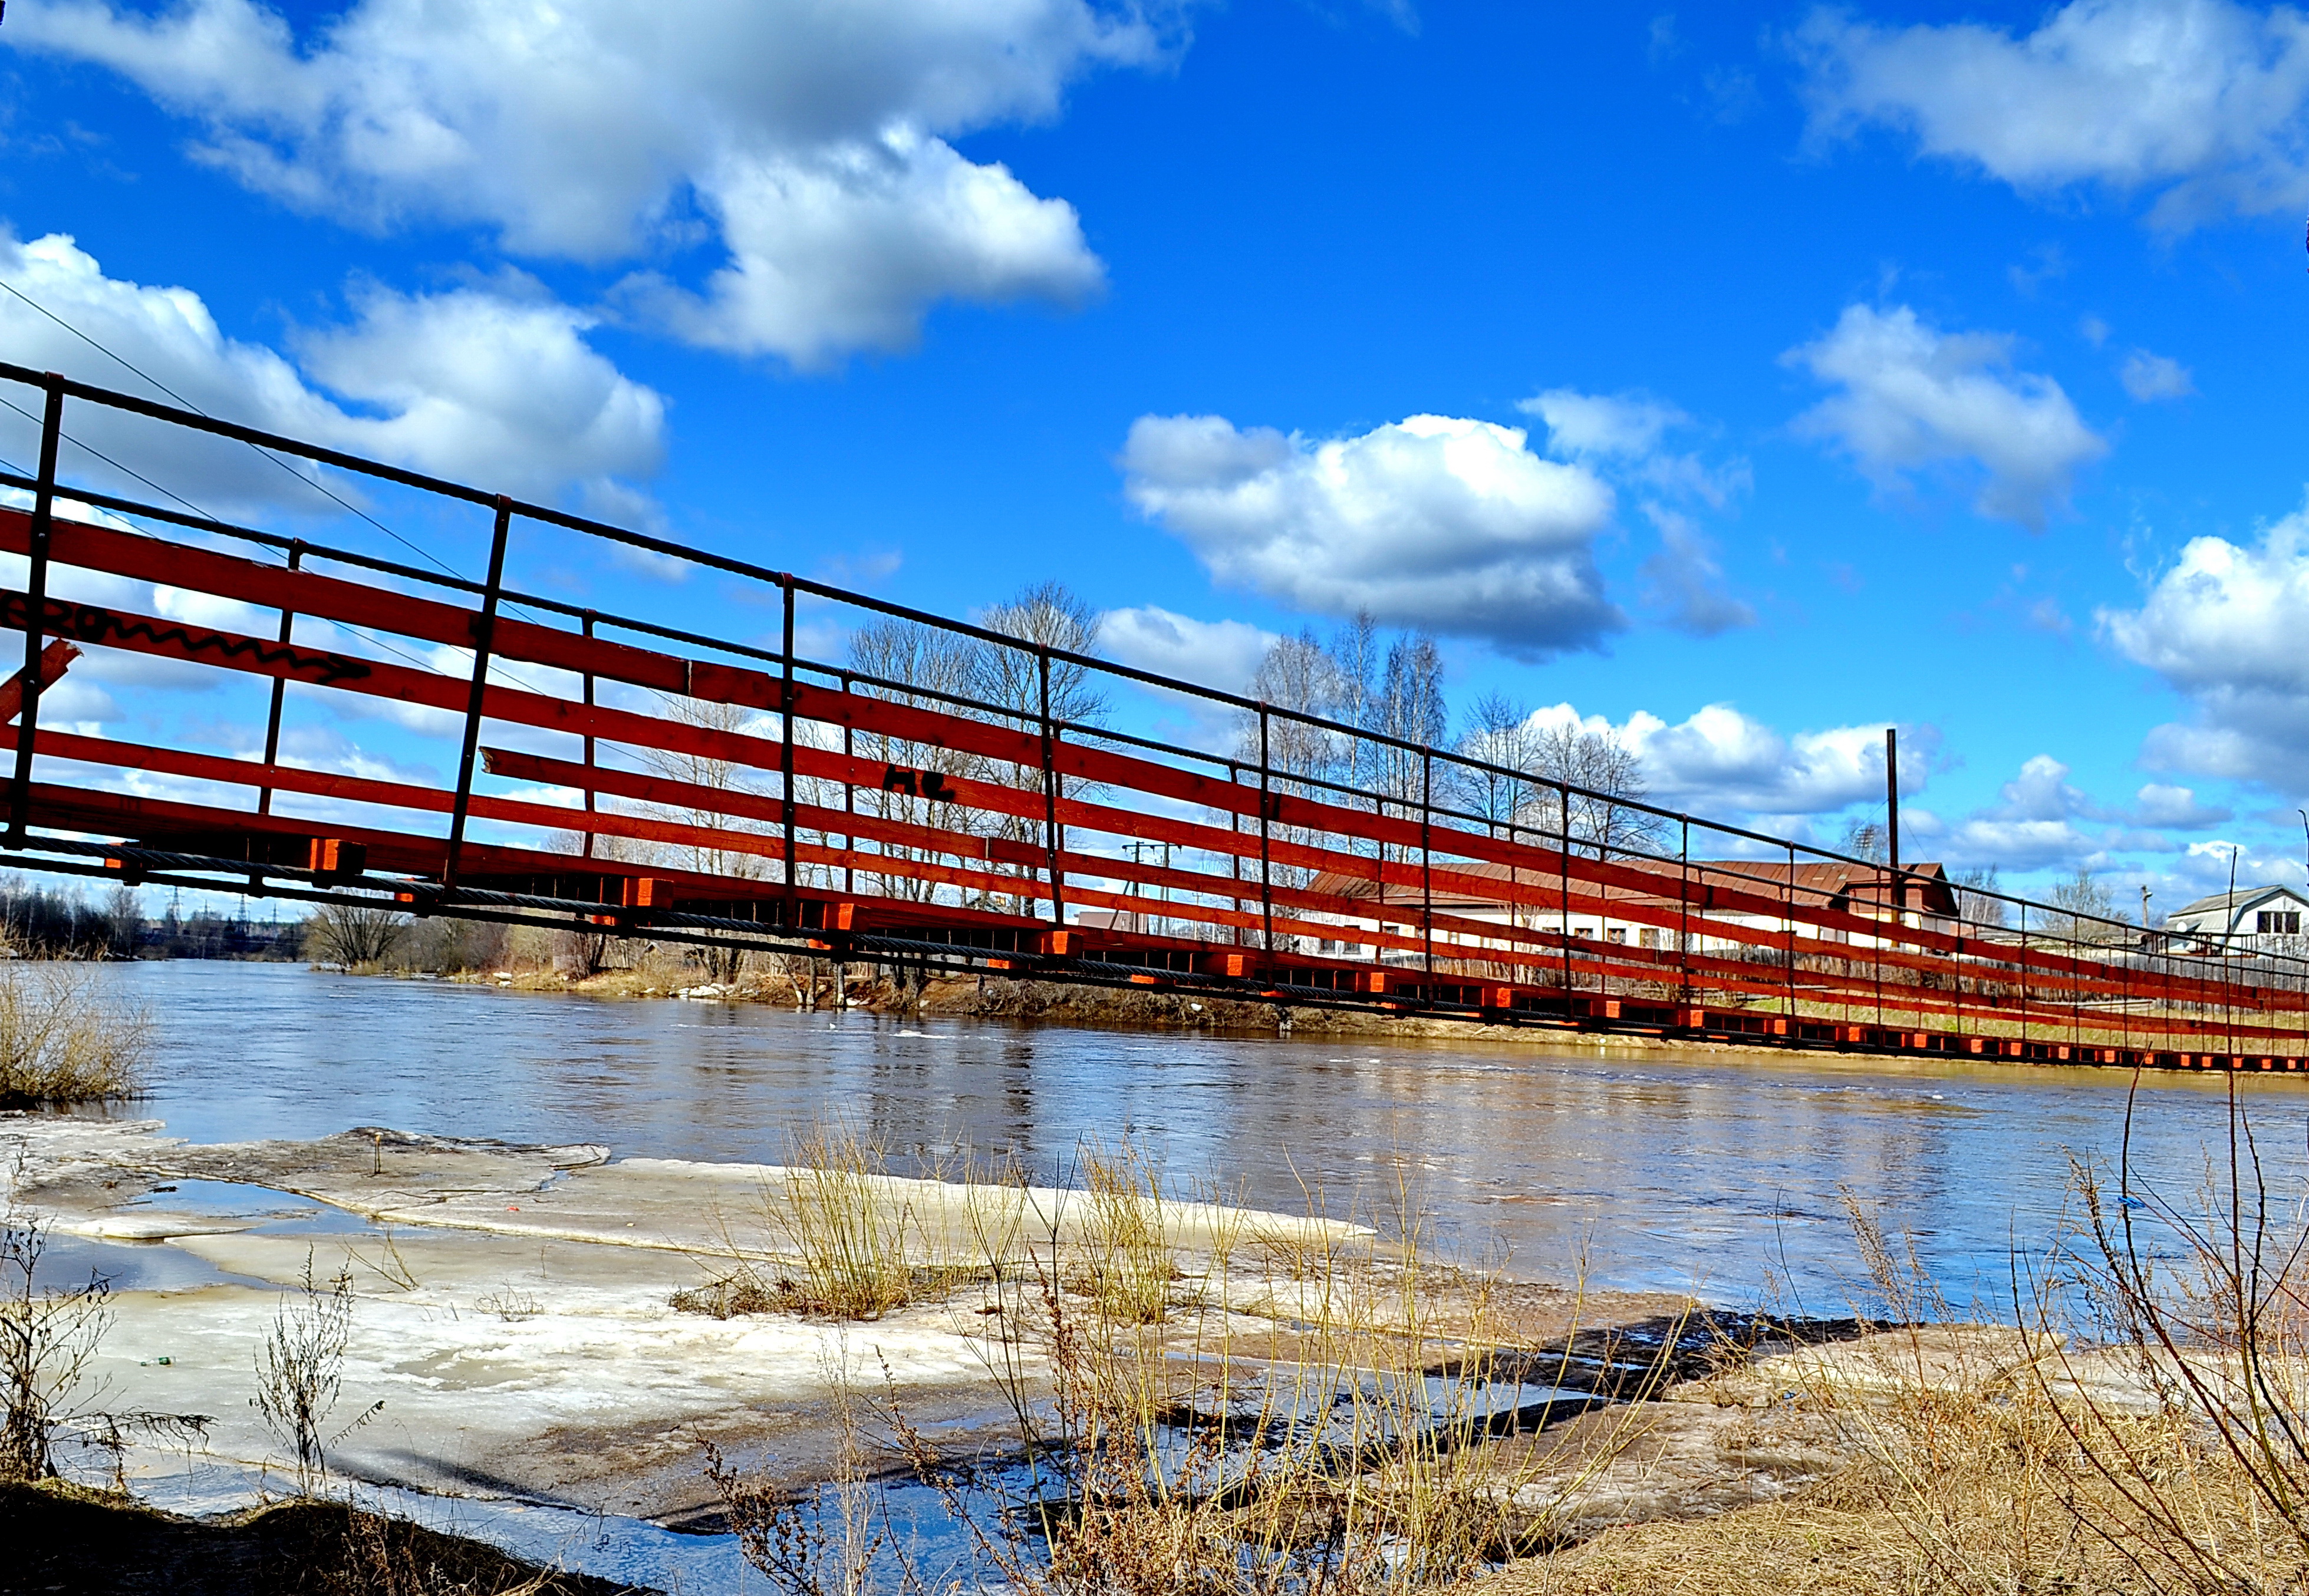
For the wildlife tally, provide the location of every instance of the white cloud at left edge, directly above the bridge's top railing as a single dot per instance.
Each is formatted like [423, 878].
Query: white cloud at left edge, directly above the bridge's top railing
[493, 385]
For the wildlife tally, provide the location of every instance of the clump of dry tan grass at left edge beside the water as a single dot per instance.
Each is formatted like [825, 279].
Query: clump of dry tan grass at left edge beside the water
[63, 1038]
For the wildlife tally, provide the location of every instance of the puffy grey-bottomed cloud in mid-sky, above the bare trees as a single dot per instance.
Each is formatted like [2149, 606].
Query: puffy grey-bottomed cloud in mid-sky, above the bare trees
[1440, 523]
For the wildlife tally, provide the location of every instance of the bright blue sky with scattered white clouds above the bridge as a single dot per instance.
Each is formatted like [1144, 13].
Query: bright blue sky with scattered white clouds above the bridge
[1786, 373]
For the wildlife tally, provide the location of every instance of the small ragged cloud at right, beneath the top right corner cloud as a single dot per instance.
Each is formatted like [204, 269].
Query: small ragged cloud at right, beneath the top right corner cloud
[1913, 398]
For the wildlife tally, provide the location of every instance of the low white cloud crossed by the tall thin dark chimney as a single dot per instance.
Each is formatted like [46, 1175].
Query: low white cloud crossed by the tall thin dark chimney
[1726, 763]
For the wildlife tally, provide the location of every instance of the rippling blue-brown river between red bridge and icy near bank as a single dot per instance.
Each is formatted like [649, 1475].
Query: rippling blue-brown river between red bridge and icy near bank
[1703, 1170]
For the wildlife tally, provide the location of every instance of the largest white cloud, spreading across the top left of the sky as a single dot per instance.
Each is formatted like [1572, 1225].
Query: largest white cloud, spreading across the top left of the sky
[814, 140]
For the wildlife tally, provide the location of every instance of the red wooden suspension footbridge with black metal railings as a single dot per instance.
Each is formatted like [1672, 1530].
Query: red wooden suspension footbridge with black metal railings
[620, 773]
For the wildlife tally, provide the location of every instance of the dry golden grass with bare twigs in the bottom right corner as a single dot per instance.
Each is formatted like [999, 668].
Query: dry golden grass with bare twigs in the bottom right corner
[2146, 1433]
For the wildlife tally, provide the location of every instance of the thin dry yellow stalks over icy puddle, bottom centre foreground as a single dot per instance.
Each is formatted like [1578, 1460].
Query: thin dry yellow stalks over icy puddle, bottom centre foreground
[1320, 1412]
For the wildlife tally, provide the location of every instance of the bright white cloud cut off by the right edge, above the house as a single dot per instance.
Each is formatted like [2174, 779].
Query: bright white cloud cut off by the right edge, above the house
[2225, 627]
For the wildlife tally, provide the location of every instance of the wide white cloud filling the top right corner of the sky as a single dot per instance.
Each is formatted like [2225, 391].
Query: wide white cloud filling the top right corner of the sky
[2197, 100]
